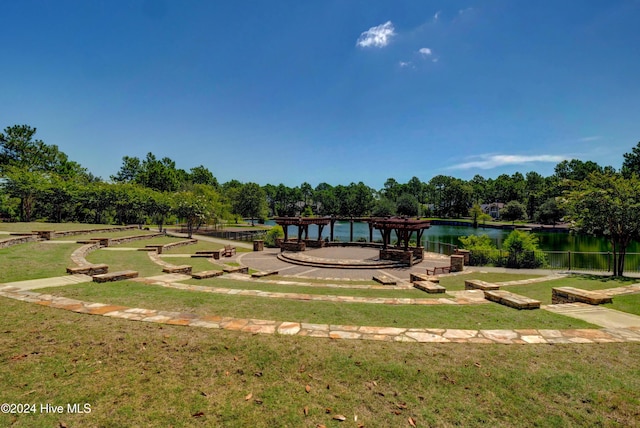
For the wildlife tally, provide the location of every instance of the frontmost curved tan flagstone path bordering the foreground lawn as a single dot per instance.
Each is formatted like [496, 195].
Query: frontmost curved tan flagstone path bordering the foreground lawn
[380, 333]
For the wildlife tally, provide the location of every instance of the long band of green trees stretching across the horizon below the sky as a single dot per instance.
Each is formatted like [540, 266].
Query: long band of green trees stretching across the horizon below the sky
[40, 182]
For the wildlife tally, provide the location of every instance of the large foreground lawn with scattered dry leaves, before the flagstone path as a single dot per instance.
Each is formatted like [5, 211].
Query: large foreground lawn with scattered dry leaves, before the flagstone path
[140, 374]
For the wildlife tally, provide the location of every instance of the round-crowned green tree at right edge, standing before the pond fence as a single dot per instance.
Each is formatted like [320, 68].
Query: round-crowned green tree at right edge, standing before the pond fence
[607, 205]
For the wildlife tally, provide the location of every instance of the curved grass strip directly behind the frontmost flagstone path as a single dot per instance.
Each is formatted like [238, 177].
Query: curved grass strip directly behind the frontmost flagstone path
[487, 316]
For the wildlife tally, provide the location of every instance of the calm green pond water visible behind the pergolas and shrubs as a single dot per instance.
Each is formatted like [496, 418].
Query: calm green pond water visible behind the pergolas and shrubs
[449, 234]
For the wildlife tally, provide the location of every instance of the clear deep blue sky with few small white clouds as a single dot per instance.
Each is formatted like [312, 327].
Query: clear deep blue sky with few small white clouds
[326, 91]
